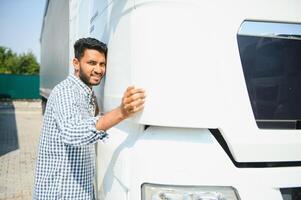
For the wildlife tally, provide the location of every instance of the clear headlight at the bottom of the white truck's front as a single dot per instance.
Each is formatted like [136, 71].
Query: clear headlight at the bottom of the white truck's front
[166, 192]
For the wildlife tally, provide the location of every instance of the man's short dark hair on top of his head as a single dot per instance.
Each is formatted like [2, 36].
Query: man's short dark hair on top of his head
[88, 43]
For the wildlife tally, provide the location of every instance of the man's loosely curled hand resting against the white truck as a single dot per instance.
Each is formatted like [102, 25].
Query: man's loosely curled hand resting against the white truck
[132, 101]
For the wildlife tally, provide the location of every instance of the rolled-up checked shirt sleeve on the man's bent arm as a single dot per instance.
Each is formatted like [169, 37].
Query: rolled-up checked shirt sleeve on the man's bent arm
[76, 129]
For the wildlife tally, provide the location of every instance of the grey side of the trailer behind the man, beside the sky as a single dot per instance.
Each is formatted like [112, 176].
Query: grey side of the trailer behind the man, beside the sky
[54, 45]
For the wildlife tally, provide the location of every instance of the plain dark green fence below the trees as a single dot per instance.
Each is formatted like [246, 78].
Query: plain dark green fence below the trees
[19, 86]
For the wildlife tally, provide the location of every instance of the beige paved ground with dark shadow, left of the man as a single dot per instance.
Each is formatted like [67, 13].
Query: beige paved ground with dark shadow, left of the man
[20, 124]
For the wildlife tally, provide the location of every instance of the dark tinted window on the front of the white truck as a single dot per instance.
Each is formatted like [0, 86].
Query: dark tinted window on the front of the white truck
[270, 55]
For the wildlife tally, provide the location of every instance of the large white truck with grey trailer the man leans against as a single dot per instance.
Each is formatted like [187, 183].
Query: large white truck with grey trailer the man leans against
[223, 83]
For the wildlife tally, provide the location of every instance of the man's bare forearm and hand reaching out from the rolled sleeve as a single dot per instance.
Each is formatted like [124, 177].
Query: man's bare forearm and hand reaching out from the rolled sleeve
[132, 102]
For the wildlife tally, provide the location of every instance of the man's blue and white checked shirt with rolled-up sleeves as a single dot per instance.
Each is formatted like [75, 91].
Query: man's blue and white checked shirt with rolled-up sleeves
[66, 157]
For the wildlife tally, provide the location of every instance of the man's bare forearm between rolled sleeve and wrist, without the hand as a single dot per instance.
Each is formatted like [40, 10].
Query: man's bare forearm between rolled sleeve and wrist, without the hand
[110, 119]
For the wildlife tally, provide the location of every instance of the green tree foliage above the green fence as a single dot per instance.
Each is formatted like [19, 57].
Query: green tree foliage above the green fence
[11, 63]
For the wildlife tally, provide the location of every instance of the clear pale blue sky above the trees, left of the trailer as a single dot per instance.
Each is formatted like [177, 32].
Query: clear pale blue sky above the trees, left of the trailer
[20, 25]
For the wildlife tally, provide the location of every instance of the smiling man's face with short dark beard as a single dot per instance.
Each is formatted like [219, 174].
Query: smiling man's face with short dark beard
[91, 67]
